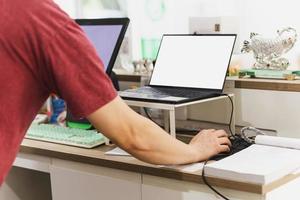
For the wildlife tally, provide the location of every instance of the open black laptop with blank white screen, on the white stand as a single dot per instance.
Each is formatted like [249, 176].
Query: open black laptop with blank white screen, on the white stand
[188, 68]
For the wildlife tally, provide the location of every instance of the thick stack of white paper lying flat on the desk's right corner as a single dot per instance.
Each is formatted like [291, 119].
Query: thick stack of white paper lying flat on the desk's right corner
[258, 164]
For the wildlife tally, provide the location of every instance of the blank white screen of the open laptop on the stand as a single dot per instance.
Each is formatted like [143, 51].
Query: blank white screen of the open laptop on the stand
[193, 61]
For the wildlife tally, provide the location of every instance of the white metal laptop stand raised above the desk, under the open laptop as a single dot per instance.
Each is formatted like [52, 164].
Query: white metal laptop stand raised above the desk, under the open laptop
[169, 110]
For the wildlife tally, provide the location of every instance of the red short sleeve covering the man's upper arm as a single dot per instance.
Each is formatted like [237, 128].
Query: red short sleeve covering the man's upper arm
[75, 72]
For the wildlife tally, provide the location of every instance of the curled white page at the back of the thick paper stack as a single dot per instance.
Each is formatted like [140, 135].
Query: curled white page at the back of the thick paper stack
[291, 143]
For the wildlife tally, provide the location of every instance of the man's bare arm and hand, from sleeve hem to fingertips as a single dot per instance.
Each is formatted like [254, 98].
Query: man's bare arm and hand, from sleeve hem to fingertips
[148, 142]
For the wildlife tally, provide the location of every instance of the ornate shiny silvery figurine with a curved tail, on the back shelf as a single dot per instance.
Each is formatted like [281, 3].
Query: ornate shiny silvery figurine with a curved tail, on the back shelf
[268, 52]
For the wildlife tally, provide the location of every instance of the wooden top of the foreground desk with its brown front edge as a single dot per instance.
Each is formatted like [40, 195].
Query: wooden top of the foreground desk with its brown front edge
[97, 157]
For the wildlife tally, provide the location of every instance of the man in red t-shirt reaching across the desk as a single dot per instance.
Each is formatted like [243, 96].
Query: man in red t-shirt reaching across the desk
[42, 51]
